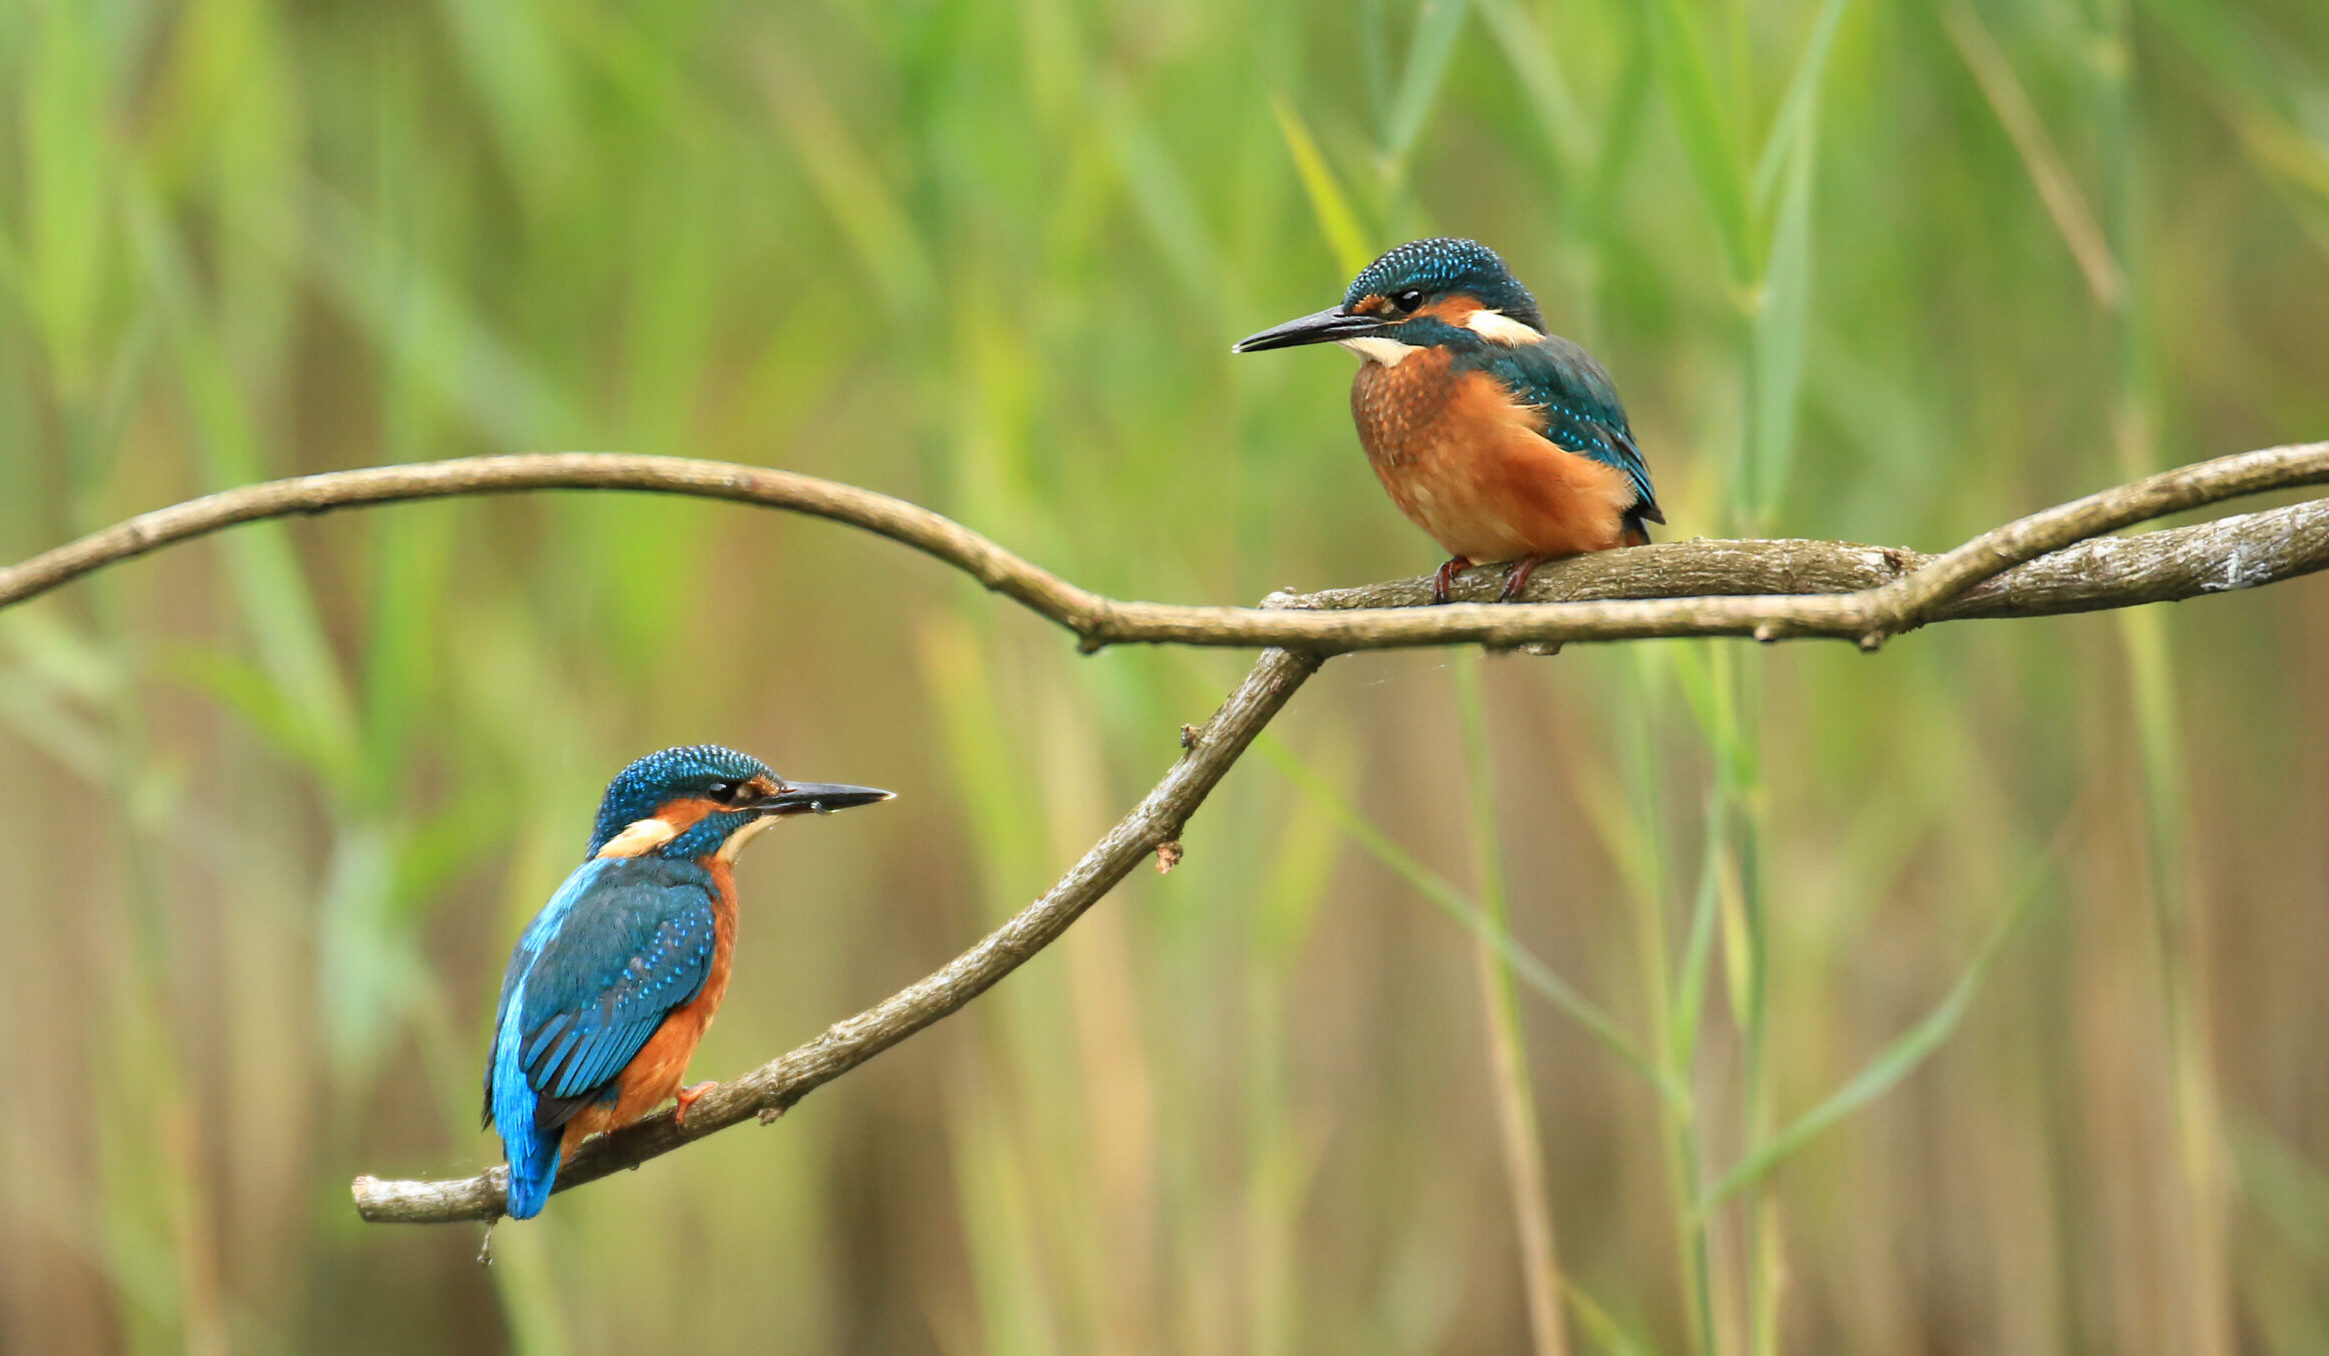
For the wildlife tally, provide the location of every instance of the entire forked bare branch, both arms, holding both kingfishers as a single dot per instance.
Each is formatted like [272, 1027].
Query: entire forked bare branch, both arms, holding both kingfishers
[2051, 563]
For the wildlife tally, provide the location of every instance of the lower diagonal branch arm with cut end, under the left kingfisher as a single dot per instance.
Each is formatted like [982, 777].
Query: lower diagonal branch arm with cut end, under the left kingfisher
[767, 1092]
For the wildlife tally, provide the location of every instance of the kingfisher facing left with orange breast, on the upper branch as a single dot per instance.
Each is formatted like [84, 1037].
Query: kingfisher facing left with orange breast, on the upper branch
[1499, 439]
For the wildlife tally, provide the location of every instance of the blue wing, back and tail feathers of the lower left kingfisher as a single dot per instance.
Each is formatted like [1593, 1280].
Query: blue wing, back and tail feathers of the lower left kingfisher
[595, 975]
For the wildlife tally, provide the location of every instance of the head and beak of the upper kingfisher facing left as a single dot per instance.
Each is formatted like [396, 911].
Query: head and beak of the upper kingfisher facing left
[1422, 295]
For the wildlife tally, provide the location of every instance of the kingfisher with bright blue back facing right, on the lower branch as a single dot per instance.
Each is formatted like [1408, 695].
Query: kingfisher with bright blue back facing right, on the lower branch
[616, 980]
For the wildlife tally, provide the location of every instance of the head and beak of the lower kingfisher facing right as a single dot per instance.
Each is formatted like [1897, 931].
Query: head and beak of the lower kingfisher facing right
[707, 803]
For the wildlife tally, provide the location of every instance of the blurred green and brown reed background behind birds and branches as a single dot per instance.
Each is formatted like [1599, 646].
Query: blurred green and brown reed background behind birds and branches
[1962, 998]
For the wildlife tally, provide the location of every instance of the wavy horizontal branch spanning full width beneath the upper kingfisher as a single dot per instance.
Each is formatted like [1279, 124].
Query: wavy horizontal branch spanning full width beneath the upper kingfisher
[1669, 591]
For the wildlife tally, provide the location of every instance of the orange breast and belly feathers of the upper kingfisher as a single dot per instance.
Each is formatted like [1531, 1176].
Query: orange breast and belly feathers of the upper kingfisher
[1468, 467]
